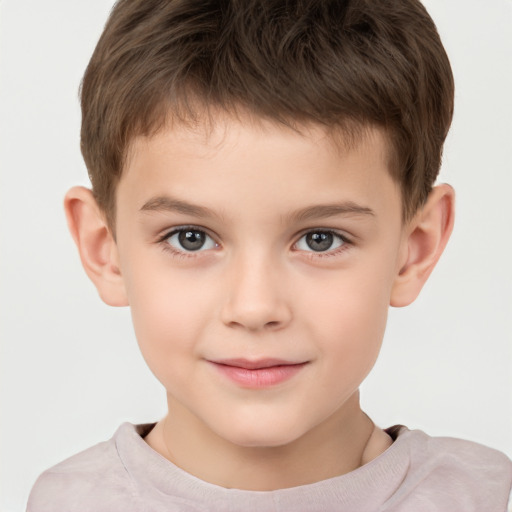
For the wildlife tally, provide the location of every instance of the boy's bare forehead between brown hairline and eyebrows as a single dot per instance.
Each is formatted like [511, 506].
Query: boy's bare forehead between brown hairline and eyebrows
[248, 161]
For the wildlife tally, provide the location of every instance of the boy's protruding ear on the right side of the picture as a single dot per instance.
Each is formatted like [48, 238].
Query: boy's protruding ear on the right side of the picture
[426, 237]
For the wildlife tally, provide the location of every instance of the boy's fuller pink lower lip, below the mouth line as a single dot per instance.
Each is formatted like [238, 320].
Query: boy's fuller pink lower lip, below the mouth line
[260, 377]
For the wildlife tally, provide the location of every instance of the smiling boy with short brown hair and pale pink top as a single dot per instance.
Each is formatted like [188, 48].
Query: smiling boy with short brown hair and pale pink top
[262, 192]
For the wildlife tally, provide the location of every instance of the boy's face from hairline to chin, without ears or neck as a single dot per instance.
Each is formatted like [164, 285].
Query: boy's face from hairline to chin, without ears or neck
[255, 244]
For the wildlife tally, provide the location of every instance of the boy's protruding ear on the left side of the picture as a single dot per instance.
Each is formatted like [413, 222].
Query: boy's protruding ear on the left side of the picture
[96, 245]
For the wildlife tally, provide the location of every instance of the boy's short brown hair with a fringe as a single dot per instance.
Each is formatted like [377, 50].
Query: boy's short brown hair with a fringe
[334, 62]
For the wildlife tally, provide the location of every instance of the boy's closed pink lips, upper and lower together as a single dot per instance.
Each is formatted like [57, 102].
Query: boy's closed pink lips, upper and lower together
[261, 373]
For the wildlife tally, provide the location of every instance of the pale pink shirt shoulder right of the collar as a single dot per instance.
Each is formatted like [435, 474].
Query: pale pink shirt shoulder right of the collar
[460, 473]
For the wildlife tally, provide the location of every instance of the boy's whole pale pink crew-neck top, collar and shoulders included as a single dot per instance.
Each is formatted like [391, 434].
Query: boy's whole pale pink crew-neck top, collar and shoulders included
[417, 473]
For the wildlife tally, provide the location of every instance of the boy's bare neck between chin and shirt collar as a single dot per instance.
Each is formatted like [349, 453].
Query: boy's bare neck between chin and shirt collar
[342, 443]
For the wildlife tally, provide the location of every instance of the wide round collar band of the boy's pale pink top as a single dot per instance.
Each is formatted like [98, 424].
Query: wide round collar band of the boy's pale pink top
[157, 480]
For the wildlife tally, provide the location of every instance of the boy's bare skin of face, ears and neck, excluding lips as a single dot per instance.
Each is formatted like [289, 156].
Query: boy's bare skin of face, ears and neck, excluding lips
[257, 290]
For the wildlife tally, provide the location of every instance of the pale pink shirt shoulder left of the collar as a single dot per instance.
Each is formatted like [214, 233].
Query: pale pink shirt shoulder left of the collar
[94, 479]
